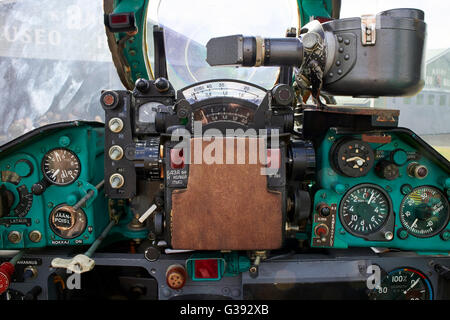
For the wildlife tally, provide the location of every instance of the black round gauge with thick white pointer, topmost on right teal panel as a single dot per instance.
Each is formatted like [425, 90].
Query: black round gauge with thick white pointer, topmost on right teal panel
[352, 157]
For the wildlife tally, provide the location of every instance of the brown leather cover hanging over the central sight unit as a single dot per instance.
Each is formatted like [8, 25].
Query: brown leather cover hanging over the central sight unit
[226, 207]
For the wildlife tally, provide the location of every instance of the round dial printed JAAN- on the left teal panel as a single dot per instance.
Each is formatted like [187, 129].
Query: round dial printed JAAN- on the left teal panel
[66, 222]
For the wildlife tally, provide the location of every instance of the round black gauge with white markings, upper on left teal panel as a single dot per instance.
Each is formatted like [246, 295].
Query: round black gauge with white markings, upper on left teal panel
[61, 166]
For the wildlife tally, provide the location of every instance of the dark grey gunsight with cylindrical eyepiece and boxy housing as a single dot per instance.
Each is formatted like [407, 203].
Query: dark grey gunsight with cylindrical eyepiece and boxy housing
[374, 55]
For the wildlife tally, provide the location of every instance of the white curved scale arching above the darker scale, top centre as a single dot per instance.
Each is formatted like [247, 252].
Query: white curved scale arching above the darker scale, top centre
[230, 89]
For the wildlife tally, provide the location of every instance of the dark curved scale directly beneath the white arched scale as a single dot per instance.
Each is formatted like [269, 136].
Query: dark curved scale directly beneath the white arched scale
[220, 112]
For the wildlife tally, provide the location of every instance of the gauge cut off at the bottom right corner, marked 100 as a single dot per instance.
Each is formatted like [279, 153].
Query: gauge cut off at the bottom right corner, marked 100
[403, 284]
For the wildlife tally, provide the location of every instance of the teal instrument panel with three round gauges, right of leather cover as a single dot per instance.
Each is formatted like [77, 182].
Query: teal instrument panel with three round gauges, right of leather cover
[381, 189]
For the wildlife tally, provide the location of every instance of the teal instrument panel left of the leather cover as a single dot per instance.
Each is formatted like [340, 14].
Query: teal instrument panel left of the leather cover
[43, 175]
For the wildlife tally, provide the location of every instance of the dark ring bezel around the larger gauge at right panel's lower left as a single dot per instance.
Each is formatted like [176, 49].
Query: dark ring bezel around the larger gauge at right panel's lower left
[375, 230]
